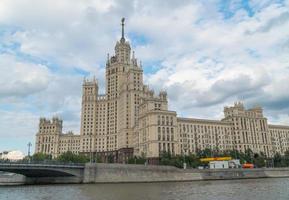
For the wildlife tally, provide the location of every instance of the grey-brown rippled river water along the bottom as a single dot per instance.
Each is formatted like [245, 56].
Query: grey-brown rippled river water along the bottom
[250, 189]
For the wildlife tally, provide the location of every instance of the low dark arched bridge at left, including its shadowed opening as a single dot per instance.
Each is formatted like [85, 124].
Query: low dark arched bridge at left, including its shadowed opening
[46, 172]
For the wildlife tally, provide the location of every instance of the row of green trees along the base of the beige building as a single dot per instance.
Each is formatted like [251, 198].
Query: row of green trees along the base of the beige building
[191, 160]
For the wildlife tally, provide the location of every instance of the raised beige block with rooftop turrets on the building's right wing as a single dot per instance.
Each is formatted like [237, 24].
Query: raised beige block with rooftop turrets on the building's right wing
[249, 129]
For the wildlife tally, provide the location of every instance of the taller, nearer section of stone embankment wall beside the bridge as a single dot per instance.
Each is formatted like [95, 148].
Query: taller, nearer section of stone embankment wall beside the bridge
[117, 173]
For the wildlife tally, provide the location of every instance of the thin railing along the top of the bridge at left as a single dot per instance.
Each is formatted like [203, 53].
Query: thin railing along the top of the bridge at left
[45, 162]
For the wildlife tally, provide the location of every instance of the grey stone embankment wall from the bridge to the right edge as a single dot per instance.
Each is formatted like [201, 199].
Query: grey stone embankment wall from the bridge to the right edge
[118, 173]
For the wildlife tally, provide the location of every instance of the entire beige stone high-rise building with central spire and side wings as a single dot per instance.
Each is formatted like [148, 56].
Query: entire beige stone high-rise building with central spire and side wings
[129, 119]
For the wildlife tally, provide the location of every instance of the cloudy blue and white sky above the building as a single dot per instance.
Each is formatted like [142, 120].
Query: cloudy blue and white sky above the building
[206, 54]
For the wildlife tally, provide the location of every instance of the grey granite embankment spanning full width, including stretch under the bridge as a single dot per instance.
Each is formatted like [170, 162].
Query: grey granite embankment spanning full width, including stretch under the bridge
[120, 173]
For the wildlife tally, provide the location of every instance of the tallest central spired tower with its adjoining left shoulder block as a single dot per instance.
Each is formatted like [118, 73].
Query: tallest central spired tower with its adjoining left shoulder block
[107, 121]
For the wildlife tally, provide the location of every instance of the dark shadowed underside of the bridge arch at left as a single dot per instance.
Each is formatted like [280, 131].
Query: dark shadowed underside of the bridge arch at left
[38, 172]
